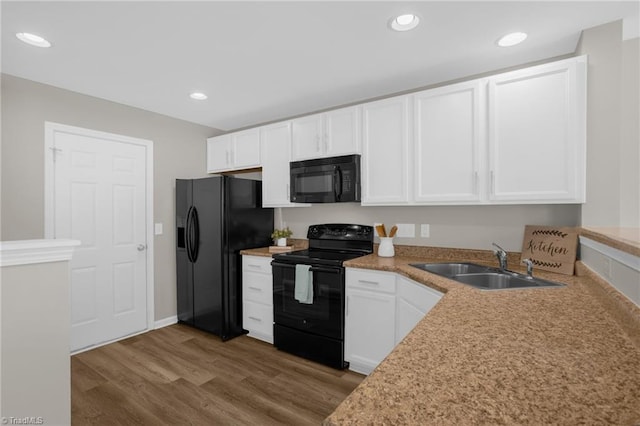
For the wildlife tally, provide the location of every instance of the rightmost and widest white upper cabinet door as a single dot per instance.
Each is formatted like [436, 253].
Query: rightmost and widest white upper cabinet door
[537, 133]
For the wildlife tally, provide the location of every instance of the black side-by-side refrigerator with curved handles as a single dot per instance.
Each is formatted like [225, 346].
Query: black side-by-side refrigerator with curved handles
[216, 217]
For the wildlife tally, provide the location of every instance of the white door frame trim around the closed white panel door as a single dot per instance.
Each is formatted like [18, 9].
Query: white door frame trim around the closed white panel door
[50, 130]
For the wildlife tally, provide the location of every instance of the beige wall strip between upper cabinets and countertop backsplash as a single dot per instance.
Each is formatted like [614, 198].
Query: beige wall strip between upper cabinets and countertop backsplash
[474, 227]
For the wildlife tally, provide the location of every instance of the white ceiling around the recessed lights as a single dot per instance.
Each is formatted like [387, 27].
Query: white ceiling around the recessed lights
[264, 61]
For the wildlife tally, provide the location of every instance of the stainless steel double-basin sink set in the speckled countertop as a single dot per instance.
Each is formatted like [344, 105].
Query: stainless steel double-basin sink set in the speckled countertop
[485, 277]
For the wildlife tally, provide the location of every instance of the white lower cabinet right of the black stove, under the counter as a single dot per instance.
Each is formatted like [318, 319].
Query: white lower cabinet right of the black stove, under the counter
[381, 309]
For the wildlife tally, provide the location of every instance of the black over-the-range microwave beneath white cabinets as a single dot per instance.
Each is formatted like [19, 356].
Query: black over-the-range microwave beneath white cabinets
[326, 180]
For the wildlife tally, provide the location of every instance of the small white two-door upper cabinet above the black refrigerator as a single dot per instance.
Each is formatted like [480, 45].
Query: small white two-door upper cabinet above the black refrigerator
[234, 151]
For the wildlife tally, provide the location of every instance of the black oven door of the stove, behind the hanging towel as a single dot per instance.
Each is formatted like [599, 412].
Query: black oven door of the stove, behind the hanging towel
[323, 317]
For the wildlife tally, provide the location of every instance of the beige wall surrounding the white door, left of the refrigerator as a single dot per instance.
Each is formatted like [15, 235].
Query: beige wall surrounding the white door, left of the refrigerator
[179, 152]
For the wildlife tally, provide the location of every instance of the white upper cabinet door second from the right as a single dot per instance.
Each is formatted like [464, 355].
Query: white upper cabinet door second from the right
[447, 141]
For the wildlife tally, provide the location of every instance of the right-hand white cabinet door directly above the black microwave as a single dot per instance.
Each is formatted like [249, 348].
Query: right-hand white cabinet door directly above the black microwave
[342, 131]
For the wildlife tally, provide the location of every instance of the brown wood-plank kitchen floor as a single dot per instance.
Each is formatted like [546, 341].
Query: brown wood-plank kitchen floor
[181, 376]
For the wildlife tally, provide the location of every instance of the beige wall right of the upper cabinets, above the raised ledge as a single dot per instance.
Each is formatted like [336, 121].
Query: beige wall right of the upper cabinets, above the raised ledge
[612, 128]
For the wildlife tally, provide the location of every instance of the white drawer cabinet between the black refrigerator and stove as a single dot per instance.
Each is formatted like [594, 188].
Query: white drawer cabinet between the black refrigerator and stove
[257, 297]
